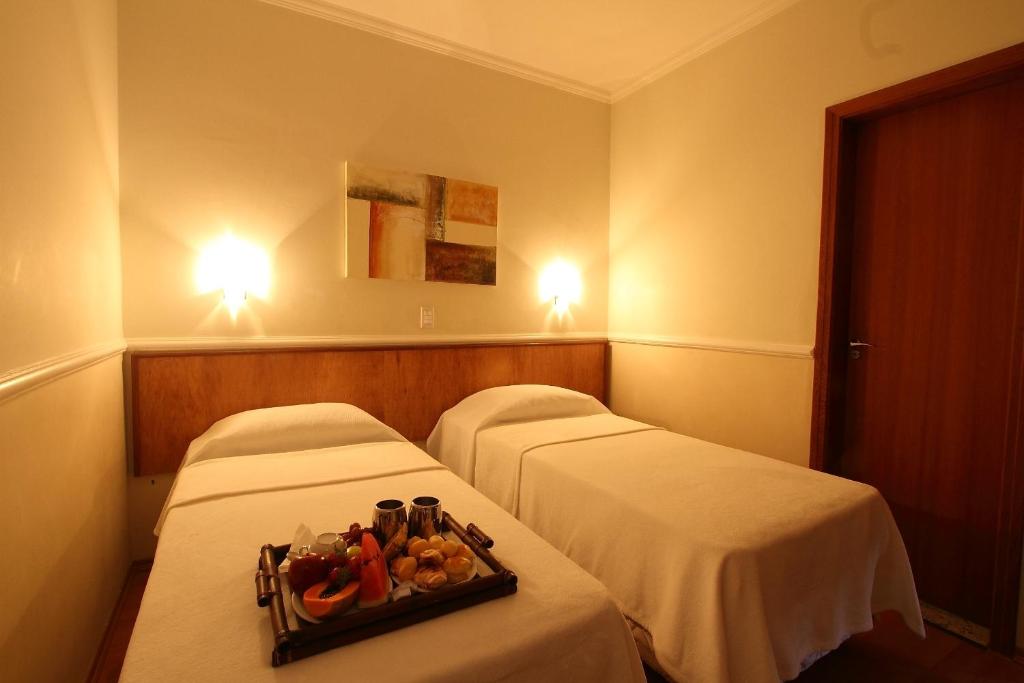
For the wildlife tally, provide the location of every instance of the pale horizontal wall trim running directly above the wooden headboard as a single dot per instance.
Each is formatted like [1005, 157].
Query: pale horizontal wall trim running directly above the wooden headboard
[158, 345]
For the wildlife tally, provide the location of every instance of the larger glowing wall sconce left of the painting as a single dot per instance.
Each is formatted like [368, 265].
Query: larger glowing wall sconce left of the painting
[235, 267]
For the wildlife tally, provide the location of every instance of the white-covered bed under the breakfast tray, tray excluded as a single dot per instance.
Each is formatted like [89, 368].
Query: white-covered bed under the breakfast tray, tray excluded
[253, 481]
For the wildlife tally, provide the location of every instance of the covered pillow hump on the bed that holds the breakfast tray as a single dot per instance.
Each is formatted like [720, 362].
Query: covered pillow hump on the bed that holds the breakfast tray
[288, 429]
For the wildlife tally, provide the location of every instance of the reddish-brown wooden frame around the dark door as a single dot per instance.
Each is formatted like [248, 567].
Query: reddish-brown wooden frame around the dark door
[828, 410]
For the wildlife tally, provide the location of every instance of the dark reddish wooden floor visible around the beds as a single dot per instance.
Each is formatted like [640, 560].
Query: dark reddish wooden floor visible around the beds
[890, 654]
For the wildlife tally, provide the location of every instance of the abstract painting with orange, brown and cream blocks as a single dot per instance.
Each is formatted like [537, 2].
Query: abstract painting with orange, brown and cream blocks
[418, 227]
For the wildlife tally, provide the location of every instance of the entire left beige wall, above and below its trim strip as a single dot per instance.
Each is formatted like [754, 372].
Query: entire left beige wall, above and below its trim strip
[63, 483]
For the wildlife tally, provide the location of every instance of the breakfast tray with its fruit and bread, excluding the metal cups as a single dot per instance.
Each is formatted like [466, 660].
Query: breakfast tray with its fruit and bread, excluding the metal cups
[361, 588]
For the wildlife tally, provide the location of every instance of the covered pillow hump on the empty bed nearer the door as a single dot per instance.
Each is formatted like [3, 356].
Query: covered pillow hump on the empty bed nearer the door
[454, 440]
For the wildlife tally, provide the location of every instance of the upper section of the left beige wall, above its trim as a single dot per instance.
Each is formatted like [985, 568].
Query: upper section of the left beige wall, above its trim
[60, 285]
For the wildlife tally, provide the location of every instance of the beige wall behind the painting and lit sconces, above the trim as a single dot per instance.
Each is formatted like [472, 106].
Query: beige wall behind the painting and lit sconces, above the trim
[238, 113]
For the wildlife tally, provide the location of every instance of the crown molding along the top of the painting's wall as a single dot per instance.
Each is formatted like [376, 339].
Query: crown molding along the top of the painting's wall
[380, 27]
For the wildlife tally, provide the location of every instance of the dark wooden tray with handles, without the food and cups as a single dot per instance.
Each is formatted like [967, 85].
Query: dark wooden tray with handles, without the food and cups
[309, 639]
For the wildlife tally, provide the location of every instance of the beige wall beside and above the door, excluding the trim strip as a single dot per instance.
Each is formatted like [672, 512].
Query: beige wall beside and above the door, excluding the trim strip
[716, 193]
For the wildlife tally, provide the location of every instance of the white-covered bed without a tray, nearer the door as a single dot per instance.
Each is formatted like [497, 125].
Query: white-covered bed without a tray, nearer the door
[731, 567]
